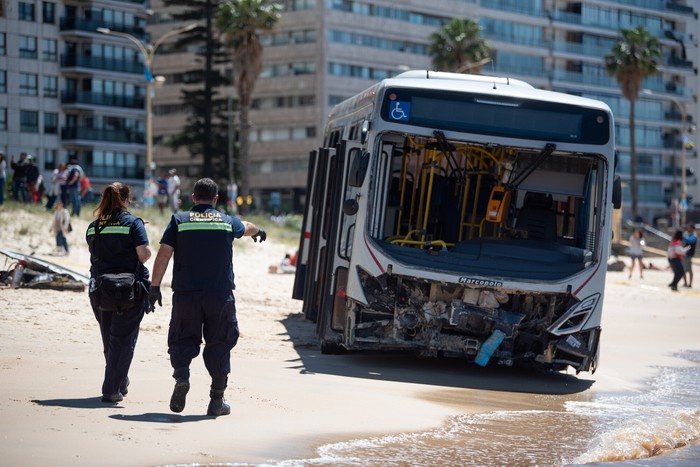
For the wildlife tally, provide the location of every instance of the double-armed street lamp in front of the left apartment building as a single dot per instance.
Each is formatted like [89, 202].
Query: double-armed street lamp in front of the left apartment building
[148, 51]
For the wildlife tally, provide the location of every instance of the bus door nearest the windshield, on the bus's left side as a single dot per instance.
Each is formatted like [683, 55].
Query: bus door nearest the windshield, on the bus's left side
[346, 172]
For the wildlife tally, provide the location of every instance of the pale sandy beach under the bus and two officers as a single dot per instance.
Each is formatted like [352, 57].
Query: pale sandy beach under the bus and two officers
[288, 401]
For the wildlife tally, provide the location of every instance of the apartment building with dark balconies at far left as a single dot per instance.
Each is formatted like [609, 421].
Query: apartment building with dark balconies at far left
[69, 91]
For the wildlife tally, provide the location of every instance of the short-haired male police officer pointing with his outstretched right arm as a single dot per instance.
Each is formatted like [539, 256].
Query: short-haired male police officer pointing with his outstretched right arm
[203, 302]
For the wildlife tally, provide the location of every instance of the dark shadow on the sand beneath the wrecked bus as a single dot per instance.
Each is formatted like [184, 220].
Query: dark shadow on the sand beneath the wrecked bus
[407, 368]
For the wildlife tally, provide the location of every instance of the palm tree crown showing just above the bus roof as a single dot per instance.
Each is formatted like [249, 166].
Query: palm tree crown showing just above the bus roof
[458, 46]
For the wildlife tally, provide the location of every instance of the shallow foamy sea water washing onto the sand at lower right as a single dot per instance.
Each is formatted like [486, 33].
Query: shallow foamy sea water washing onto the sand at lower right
[659, 427]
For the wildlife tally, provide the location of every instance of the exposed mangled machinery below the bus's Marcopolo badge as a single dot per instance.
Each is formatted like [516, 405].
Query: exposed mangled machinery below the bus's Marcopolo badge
[455, 320]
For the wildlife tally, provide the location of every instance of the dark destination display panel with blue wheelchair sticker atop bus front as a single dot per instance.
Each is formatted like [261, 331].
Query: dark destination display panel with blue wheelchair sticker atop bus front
[502, 116]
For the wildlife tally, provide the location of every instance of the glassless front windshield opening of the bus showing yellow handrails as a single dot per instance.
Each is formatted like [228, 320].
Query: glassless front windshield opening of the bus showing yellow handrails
[494, 211]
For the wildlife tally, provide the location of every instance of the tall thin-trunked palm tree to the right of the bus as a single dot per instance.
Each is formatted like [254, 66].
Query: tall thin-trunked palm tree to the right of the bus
[630, 61]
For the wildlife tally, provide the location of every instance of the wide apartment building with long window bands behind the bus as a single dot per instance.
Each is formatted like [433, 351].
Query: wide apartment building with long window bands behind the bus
[325, 50]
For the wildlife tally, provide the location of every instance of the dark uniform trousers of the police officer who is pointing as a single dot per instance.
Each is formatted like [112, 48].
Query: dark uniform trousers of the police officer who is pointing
[210, 315]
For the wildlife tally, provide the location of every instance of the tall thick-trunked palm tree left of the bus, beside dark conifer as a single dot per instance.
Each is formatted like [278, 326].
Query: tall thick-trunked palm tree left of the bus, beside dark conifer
[240, 21]
